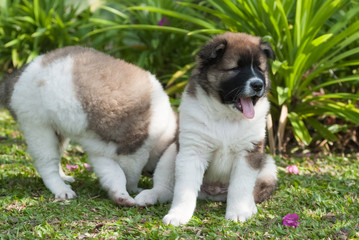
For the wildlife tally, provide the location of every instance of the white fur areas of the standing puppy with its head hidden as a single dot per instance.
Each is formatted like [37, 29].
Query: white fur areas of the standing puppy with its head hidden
[44, 101]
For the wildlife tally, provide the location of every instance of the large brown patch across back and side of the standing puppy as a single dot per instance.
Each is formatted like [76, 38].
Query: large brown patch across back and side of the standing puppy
[115, 95]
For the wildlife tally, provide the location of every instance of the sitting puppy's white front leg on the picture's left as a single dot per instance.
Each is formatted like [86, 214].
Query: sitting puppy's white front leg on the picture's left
[190, 167]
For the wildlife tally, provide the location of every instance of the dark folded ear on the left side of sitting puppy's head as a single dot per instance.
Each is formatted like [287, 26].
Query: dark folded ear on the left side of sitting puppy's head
[212, 51]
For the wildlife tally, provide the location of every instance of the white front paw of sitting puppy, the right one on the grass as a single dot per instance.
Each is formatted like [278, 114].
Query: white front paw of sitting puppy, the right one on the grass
[241, 213]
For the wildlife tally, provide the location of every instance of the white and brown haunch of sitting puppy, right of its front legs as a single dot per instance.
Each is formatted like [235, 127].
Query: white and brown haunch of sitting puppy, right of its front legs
[266, 181]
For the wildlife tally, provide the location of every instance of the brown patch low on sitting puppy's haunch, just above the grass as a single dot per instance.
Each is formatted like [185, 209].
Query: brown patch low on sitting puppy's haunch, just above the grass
[263, 189]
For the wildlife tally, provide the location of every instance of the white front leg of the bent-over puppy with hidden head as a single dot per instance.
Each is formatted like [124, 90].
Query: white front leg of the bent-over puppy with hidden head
[112, 178]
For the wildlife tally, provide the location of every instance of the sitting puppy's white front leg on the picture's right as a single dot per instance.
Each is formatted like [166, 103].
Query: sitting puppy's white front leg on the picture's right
[240, 201]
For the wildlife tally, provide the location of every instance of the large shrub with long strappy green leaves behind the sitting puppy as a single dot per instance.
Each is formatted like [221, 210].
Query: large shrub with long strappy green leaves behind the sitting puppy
[314, 41]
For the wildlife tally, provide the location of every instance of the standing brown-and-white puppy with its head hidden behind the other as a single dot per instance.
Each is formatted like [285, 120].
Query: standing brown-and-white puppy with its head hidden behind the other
[118, 112]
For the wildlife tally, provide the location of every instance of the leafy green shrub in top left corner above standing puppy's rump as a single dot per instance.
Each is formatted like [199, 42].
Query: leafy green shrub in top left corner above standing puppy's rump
[28, 28]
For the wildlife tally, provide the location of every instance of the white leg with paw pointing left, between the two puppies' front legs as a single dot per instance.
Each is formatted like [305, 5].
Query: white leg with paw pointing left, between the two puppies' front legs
[163, 180]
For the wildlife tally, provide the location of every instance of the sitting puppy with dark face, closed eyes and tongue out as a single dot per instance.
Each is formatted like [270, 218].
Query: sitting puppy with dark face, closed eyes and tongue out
[221, 133]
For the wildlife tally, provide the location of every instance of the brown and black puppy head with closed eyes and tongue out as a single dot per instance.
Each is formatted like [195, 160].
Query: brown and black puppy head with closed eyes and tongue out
[232, 67]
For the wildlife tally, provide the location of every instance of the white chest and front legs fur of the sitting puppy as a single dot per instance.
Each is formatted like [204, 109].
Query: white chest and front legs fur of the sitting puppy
[214, 139]
